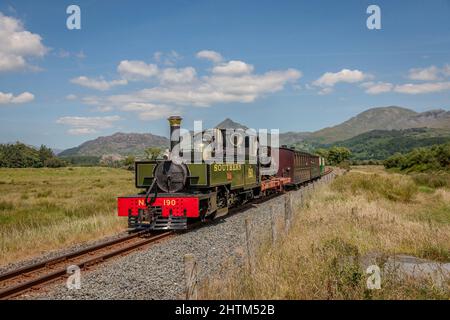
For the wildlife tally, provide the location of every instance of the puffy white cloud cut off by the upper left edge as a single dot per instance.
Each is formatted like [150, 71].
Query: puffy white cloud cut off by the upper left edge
[17, 45]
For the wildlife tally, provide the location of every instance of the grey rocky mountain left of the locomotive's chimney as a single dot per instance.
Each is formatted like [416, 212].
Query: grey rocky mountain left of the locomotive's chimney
[119, 143]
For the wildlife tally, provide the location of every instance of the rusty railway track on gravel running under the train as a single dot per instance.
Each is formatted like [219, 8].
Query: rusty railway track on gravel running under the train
[34, 276]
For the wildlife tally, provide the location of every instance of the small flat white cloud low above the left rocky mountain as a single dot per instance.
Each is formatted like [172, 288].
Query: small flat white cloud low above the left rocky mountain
[87, 125]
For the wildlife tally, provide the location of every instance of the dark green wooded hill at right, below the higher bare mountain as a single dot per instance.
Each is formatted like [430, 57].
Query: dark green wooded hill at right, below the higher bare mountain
[381, 144]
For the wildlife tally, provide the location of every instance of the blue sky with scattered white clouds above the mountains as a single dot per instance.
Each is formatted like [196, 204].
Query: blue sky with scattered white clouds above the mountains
[288, 65]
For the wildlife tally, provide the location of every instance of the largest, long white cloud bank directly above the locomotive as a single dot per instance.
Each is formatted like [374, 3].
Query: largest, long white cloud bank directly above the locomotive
[179, 87]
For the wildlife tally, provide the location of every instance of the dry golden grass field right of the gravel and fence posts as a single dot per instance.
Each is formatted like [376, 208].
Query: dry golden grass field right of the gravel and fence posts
[364, 212]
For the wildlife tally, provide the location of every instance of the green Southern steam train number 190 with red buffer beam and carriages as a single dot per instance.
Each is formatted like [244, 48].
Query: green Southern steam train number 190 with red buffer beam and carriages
[177, 192]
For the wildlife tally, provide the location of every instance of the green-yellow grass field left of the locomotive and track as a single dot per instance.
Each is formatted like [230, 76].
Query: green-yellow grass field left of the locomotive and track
[45, 209]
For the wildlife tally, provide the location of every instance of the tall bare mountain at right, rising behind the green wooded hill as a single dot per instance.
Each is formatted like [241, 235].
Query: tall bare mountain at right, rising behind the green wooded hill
[384, 118]
